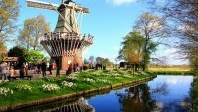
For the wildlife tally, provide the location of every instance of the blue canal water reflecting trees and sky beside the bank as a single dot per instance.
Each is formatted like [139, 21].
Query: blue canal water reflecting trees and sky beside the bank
[162, 94]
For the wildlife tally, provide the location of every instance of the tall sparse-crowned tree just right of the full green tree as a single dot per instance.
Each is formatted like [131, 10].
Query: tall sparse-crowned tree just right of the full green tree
[154, 30]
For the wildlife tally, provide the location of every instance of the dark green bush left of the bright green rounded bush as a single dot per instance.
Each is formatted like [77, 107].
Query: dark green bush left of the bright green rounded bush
[19, 52]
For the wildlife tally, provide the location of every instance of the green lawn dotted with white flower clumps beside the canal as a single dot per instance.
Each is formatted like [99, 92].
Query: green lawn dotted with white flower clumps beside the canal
[26, 91]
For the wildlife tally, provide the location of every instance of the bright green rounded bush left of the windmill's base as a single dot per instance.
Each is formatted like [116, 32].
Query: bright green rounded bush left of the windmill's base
[34, 56]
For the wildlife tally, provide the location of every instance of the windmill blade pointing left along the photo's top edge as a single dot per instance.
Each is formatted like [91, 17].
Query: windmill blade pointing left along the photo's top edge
[42, 5]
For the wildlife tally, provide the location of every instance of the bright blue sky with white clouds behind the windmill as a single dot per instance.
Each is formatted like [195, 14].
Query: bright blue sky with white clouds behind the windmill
[109, 21]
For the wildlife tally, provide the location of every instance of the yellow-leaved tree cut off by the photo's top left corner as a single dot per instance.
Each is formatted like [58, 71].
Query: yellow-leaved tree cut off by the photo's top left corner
[9, 11]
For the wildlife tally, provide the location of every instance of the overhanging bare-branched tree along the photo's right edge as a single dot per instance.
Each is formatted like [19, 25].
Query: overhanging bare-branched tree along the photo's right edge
[184, 14]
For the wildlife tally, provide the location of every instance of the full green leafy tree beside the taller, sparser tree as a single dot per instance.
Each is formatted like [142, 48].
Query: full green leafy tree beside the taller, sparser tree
[132, 48]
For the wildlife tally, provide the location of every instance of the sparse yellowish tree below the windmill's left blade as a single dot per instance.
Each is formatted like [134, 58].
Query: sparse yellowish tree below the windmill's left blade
[33, 30]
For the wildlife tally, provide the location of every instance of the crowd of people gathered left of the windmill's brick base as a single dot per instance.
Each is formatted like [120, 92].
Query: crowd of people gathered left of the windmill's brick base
[7, 70]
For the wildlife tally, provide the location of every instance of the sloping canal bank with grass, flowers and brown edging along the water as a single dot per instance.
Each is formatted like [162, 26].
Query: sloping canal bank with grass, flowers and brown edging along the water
[86, 83]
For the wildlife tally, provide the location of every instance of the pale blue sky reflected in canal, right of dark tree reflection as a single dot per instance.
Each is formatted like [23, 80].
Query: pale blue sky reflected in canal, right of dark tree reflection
[177, 92]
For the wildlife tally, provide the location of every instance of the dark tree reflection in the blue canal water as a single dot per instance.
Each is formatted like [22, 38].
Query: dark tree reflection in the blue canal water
[136, 99]
